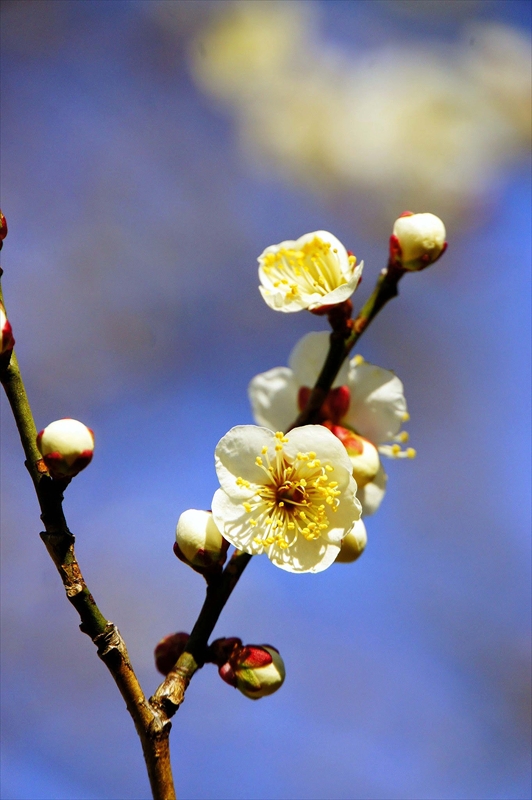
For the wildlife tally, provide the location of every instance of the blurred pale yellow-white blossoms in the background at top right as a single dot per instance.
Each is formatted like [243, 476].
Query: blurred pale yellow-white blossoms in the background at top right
[410, 125]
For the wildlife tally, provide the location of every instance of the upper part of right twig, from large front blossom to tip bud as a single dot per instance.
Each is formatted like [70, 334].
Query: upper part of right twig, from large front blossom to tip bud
[342, 342]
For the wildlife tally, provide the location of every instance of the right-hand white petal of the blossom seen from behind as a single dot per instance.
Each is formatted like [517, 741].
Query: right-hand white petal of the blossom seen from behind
[377, 406]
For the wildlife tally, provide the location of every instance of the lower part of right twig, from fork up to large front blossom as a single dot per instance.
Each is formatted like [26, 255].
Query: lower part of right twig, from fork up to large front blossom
[171, 692]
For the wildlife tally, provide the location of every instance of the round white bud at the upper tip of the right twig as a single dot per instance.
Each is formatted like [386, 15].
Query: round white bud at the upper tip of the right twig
[418, 240]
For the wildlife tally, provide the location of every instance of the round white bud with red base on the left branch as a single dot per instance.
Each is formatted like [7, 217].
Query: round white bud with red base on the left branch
[66, 446]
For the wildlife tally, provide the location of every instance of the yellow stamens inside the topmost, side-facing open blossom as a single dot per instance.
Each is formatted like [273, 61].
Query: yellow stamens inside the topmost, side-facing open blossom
[313, 268]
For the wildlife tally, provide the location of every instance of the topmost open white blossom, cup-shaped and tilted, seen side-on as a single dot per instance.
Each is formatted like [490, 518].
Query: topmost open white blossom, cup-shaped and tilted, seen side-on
[312, 271]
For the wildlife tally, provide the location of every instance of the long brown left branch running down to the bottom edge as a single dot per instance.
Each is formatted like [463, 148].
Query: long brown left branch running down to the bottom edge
[152, 726]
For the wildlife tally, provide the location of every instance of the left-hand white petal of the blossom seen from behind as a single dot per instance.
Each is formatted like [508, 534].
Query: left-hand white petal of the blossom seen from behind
[273, 397]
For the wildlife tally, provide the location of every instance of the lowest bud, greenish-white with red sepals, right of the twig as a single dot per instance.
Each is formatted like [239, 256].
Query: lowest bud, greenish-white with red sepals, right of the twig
[255, 670]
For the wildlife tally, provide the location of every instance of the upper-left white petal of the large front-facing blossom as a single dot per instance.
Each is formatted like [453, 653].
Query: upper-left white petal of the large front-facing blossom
[235, 456]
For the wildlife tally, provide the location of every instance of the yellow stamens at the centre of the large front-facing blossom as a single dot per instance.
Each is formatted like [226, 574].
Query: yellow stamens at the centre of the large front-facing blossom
[294, 498]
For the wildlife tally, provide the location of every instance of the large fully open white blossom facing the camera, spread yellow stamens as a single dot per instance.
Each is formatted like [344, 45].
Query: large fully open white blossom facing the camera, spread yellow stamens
[290, 496]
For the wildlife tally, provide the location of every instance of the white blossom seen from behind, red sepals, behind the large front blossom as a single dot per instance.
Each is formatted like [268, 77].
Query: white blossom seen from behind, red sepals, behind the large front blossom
[365, 408]
